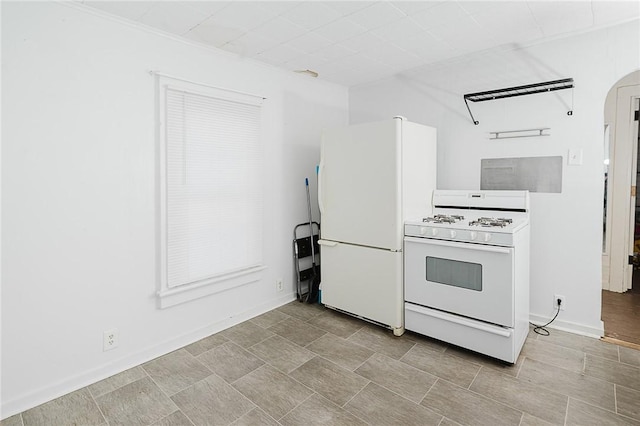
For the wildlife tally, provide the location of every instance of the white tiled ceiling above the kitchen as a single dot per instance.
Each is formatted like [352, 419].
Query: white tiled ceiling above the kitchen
[356, 42]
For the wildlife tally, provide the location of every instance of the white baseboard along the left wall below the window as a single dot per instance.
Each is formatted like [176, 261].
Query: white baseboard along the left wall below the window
[79, 381]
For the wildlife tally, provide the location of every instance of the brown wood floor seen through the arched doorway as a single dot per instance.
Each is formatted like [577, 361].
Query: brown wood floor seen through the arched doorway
[621, 314]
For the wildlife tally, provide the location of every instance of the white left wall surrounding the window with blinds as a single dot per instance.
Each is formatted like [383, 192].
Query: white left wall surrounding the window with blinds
[78, 193]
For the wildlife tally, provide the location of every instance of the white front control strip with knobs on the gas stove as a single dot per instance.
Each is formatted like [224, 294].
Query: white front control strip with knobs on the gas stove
[477, 236]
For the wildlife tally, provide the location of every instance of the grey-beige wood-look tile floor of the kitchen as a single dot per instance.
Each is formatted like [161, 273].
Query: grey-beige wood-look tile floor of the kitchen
[307, 365]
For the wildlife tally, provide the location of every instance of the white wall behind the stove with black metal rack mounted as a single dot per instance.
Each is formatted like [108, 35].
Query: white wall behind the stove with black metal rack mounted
[566, 228]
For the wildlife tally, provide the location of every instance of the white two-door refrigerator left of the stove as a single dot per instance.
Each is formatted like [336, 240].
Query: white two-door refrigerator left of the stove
[371, 178]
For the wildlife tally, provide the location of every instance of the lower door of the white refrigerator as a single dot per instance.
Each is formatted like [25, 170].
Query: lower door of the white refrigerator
[363, 281]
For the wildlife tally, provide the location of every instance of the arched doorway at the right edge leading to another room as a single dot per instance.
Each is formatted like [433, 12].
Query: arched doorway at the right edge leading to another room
[621, 225]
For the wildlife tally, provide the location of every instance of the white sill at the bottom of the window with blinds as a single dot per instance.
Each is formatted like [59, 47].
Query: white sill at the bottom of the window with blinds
[168, 297]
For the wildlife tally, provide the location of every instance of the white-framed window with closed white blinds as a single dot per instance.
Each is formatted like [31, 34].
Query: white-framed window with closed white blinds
[210, 190]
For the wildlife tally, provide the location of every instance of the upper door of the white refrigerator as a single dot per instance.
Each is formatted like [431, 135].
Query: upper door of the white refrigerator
[359, 185]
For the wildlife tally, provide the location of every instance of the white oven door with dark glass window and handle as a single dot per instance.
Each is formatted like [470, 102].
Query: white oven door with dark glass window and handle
[473, 280]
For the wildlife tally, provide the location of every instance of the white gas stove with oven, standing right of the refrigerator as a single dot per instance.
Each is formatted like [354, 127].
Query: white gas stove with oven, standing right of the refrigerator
[467, 271]
